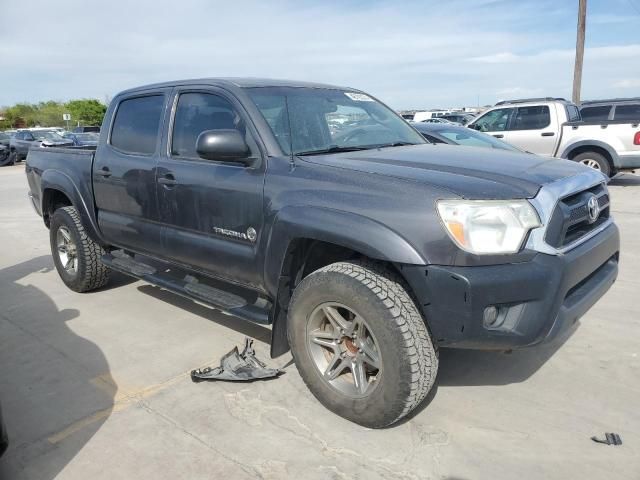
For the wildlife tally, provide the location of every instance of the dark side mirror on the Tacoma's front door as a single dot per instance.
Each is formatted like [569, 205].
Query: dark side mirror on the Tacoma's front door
[223, 145]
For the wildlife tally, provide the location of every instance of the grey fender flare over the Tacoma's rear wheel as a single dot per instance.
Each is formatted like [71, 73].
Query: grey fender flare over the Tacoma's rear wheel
[60, 181]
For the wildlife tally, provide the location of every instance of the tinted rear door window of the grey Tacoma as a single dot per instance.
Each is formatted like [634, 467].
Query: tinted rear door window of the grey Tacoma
[136, 124]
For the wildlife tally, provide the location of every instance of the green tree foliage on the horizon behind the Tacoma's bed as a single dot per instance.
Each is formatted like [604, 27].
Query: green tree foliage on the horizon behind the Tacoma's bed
[49, 114]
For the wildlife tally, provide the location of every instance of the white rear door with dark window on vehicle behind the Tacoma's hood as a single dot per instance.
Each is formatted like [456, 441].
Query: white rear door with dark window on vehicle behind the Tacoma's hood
[533, 128]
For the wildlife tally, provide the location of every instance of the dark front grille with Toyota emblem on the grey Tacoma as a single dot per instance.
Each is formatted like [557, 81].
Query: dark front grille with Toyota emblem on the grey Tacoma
[570, 220]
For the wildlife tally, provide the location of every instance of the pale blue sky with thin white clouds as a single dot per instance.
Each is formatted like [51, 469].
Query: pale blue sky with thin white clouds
[410, 54]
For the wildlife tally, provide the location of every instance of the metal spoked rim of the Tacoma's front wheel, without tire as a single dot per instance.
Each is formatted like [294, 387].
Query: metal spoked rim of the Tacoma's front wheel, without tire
[344, 350]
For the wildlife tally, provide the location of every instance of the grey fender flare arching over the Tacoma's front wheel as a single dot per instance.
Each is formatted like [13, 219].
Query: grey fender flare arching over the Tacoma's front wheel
[356, 232]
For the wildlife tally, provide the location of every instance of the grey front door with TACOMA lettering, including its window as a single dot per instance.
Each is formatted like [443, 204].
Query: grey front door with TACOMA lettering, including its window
[211, 210]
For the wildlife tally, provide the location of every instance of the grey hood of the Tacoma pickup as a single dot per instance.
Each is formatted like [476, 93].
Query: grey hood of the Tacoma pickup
[468, 172]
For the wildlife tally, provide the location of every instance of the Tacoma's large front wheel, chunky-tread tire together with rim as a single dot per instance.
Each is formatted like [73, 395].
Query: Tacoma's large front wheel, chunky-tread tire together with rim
[407, 361]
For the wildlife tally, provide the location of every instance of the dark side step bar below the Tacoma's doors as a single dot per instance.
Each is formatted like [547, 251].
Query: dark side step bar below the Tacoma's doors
[213, 297]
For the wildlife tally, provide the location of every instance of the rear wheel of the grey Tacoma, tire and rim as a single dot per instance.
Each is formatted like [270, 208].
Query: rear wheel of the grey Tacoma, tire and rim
[78, 260]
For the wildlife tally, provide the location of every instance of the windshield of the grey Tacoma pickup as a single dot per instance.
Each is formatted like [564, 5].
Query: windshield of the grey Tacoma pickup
[322, 120]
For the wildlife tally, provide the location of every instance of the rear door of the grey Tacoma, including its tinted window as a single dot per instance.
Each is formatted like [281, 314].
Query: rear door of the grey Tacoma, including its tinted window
[124, 173]
